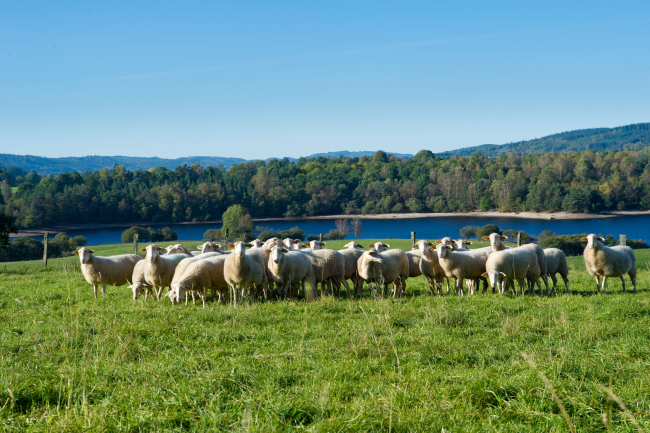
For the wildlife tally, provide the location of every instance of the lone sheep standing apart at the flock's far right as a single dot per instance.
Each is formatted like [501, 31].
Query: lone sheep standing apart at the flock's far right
[603, 261]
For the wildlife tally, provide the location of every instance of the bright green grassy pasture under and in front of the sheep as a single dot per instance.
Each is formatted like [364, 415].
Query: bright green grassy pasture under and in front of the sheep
[69, 362]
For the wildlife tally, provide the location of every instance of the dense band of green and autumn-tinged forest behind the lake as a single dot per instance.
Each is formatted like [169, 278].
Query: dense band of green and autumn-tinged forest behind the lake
[586, 181]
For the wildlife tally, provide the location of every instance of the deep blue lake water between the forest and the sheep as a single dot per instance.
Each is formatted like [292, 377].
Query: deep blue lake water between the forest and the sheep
[635, 227]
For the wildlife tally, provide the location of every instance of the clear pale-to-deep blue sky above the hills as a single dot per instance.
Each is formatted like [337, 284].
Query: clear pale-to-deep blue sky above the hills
[259, 79]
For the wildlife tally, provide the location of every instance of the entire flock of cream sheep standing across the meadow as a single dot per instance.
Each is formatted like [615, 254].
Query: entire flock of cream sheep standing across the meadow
[283, 267]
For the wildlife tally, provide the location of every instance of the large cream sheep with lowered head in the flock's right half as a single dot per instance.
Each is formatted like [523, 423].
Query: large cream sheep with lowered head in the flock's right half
[512, 265]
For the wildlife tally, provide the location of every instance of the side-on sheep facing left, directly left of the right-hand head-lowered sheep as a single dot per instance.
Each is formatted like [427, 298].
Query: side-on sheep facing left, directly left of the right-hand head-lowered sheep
[462, 265]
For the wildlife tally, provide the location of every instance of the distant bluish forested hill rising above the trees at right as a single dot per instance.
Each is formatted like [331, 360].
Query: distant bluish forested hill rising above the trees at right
[629, 137]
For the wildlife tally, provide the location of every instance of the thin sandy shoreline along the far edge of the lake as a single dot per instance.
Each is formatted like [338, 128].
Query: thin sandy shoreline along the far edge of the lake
[488, 214]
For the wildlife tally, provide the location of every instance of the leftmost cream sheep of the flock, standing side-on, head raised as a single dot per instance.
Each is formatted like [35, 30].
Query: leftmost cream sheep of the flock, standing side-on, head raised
[114, 271]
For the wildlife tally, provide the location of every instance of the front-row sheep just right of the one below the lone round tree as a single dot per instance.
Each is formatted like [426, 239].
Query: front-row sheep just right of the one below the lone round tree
[290, 267]
